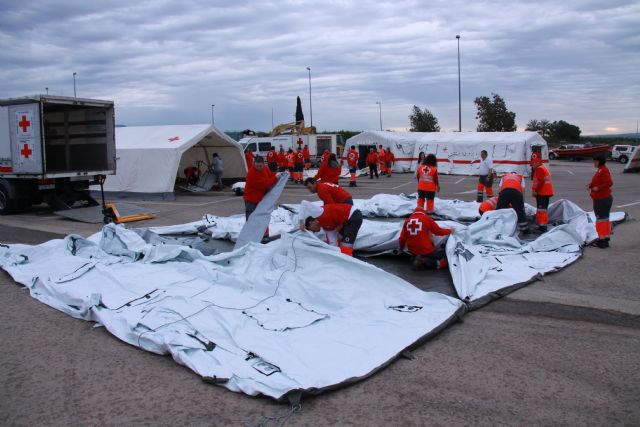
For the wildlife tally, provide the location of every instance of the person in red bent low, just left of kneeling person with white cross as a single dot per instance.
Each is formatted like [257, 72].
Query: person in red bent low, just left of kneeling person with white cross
[339, 217]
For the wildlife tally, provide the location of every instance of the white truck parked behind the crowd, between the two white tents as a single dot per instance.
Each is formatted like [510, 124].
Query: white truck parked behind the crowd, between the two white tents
[317, 144]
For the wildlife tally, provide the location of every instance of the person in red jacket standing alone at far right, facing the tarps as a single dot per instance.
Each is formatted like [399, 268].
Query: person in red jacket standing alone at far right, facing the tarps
[600, 190]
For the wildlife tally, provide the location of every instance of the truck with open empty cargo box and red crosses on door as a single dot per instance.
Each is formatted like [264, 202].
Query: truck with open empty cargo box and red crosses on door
[52, 148]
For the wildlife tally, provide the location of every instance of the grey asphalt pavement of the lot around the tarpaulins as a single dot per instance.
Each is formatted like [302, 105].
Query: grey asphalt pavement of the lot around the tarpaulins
[559, 351]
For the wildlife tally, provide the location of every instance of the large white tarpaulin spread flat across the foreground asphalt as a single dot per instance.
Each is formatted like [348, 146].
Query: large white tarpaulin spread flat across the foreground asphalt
[292, 315]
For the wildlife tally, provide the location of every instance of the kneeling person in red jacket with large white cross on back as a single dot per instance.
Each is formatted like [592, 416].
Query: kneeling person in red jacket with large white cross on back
[416, 236]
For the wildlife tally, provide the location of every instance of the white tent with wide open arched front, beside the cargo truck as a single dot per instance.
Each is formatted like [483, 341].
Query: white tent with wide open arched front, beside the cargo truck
[149, 158]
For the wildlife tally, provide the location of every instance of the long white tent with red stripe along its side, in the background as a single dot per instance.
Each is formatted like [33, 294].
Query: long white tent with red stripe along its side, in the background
[457, 153]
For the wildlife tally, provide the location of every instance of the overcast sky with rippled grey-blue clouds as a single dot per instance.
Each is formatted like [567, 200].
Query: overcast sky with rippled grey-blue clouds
[166, 62]
